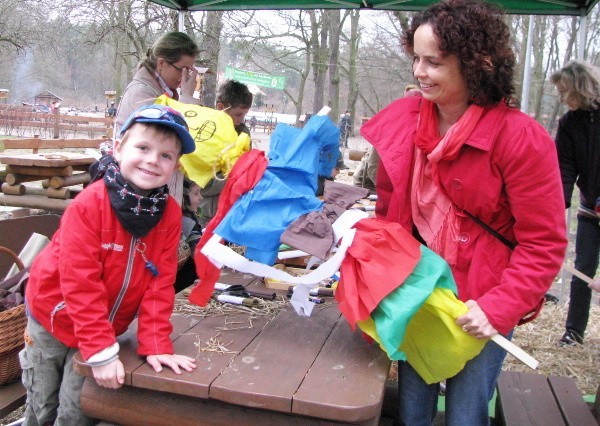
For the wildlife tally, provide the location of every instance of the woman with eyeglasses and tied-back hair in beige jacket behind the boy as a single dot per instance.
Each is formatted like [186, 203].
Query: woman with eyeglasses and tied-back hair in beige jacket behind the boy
[168, 65]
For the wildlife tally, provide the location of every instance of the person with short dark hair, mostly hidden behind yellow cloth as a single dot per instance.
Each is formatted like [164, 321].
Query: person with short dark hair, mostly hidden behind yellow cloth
[235, 99]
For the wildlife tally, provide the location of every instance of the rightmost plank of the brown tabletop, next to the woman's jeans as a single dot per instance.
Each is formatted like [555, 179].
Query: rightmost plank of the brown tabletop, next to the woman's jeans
[359, 380]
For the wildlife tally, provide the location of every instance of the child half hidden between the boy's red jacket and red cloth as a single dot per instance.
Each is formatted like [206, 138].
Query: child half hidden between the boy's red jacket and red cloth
[191, 231]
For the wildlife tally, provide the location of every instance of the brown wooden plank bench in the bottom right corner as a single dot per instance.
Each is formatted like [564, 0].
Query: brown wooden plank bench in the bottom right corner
[534, 399]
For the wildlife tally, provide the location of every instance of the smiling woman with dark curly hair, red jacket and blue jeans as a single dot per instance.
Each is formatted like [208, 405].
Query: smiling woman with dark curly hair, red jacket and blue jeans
[471, 177]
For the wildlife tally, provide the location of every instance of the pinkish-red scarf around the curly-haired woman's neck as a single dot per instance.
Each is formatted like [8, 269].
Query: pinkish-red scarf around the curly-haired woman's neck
[433, 212]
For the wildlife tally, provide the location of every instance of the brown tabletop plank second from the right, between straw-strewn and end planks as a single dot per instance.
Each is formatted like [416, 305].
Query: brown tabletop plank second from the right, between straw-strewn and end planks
[269, 371]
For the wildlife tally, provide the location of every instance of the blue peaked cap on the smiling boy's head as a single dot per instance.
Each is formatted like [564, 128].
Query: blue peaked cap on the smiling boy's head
[165, 116]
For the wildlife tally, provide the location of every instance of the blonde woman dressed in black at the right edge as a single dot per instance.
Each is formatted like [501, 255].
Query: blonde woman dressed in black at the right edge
[578, 146]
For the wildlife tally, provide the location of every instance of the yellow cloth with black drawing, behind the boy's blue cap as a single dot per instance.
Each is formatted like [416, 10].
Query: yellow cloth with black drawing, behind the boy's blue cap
[218, 146]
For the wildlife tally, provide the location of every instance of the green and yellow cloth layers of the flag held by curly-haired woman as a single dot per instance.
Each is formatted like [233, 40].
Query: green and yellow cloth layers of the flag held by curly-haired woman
[416, 322]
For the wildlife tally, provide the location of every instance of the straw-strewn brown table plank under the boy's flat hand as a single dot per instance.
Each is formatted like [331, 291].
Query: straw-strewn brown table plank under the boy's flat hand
[235, 332]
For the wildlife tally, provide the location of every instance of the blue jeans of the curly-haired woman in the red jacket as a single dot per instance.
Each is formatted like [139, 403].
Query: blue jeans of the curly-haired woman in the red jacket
[467, 394]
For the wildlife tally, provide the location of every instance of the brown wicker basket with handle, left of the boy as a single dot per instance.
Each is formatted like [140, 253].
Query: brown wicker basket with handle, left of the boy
[12, 328]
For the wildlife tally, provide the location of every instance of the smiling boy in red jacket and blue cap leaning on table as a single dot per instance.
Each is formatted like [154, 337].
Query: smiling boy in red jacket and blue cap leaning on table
[114, 257]
